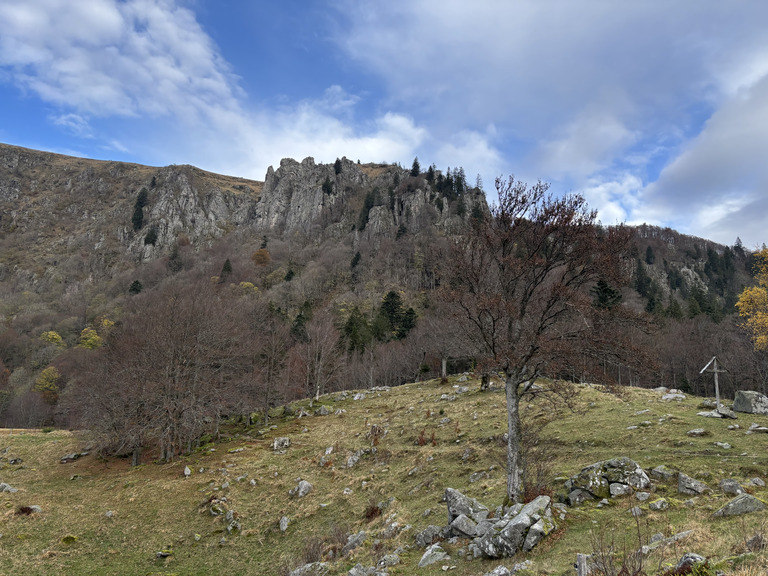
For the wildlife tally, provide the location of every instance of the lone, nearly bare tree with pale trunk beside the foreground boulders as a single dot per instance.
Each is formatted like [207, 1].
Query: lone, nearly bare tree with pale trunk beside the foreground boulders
[520, 284]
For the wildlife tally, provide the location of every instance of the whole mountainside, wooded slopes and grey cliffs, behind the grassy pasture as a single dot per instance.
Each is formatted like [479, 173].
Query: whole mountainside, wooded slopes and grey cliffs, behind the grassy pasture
[150, 303]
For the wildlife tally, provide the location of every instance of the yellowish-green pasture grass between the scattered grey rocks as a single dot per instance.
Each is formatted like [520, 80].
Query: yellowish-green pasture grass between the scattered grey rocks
[155, 508]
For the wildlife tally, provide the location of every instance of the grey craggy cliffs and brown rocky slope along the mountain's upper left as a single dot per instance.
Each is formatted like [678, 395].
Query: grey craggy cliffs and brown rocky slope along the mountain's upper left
[59, 214]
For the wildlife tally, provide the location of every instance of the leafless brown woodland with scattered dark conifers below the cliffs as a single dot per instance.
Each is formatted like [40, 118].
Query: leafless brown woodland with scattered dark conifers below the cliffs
[154, 354]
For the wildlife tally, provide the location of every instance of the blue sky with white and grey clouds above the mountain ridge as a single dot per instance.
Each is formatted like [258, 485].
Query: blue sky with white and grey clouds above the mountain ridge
[655, 111]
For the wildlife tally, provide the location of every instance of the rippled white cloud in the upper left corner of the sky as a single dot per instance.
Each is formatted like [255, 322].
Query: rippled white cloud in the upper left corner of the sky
[105, 58]
